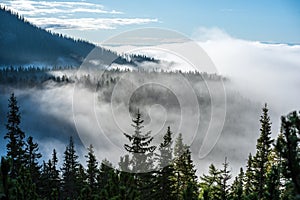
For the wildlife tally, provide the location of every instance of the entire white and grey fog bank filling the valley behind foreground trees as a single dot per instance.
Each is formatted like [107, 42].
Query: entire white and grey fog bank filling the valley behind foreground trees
[256, 73]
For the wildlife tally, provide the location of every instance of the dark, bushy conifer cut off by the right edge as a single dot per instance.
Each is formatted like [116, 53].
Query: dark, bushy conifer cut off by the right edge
[288, 148]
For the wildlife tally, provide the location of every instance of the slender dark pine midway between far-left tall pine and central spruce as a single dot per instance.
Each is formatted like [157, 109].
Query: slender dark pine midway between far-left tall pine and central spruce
[70, 172]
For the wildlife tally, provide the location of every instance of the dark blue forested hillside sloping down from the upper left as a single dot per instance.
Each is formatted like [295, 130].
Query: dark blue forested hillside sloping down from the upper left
[22, 43]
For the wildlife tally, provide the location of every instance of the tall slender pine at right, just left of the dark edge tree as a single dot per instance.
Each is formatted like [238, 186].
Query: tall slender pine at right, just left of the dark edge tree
[263, 150]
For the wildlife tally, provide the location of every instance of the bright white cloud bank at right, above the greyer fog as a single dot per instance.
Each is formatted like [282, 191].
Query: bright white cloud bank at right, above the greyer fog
[263, 72]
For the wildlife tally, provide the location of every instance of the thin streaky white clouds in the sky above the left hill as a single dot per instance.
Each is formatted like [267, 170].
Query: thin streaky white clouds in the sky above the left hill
[65, 15]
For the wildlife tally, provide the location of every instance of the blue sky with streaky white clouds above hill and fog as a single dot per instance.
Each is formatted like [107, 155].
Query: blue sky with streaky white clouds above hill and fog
[275, 21]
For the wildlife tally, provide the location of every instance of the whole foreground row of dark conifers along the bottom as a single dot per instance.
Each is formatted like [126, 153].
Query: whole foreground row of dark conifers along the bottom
[271, 173]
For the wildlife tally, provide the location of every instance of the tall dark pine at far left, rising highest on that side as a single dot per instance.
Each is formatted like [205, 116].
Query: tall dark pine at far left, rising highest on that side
[15, 136]
